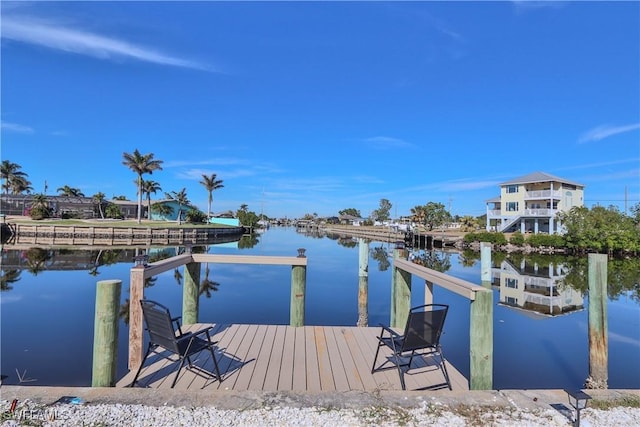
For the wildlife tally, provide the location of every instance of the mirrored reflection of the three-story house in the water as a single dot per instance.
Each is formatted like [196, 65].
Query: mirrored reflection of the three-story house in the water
[534, 287]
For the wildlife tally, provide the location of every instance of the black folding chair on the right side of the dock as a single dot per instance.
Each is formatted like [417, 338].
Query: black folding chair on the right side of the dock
[422, 332]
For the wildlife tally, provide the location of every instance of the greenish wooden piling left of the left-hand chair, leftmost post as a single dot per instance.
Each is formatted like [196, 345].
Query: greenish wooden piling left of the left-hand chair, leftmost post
[105, 338]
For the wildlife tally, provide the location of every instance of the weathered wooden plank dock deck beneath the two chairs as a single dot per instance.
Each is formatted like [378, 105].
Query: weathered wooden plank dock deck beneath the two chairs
[286, 358]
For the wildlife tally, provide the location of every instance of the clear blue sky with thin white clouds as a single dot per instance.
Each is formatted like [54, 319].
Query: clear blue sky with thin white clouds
[304, 107]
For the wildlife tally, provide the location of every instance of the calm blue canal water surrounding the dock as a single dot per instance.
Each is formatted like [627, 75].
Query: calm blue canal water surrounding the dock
[540, 330]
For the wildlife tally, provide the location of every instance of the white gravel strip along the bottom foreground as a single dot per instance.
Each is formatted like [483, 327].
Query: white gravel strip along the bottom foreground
[426, 414]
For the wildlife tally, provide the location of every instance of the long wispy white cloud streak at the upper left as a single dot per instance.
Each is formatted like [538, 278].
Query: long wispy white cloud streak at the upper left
[55, 36]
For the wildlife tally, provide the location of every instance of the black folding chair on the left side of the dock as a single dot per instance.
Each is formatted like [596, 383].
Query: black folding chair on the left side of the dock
[162, 333]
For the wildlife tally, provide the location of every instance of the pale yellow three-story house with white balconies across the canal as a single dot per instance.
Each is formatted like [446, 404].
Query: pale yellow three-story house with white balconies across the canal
[530, 203]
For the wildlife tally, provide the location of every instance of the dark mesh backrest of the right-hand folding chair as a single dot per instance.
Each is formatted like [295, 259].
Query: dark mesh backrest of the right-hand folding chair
[424, 326]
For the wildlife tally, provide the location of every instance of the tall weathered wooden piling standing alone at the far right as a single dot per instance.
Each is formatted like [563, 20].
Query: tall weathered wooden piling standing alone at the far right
[598, 338]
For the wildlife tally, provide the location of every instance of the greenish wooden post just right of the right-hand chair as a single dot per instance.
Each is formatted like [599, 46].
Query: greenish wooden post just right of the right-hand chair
[481, 341]
